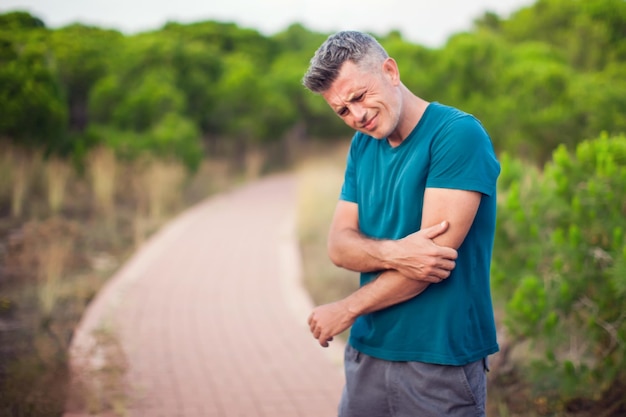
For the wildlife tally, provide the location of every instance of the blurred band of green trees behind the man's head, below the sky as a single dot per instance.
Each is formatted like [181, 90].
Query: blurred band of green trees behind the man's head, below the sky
[550, 74]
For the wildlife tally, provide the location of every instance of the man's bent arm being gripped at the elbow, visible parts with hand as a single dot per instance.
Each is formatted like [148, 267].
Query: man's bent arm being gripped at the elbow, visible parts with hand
[457, 207]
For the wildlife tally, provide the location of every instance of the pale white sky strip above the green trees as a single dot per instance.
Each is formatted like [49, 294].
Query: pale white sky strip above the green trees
[428, 23]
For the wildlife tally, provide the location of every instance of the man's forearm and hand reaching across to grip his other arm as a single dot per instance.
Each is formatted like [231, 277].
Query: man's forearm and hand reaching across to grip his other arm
[416, 256]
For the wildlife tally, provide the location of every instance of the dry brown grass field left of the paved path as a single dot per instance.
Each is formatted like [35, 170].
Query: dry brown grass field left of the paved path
[61, 237]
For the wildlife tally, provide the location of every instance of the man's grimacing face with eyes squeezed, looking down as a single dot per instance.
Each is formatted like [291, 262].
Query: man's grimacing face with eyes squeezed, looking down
[367, 101]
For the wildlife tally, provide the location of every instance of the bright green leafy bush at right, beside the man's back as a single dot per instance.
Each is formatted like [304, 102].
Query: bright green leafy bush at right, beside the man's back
[559, 260]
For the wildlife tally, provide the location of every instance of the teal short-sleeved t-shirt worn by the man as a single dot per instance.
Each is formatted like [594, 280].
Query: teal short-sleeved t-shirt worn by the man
[450, 323]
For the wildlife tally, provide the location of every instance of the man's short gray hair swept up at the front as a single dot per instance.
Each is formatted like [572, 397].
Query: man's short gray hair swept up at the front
[358, 47]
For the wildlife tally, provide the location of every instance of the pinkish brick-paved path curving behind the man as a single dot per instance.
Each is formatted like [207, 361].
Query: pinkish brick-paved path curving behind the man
[211, 316]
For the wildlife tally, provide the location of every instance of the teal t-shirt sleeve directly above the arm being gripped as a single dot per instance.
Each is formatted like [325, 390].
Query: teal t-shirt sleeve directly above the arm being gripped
[462, 157]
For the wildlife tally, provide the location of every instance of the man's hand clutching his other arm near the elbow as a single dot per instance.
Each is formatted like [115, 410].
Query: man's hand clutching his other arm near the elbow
[417, 257]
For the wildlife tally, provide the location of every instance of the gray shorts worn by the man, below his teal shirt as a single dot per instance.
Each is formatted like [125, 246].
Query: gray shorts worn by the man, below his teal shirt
[379, 388]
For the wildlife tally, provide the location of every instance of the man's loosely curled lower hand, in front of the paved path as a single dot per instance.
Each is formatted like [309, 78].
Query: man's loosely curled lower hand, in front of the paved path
[328, 320]
